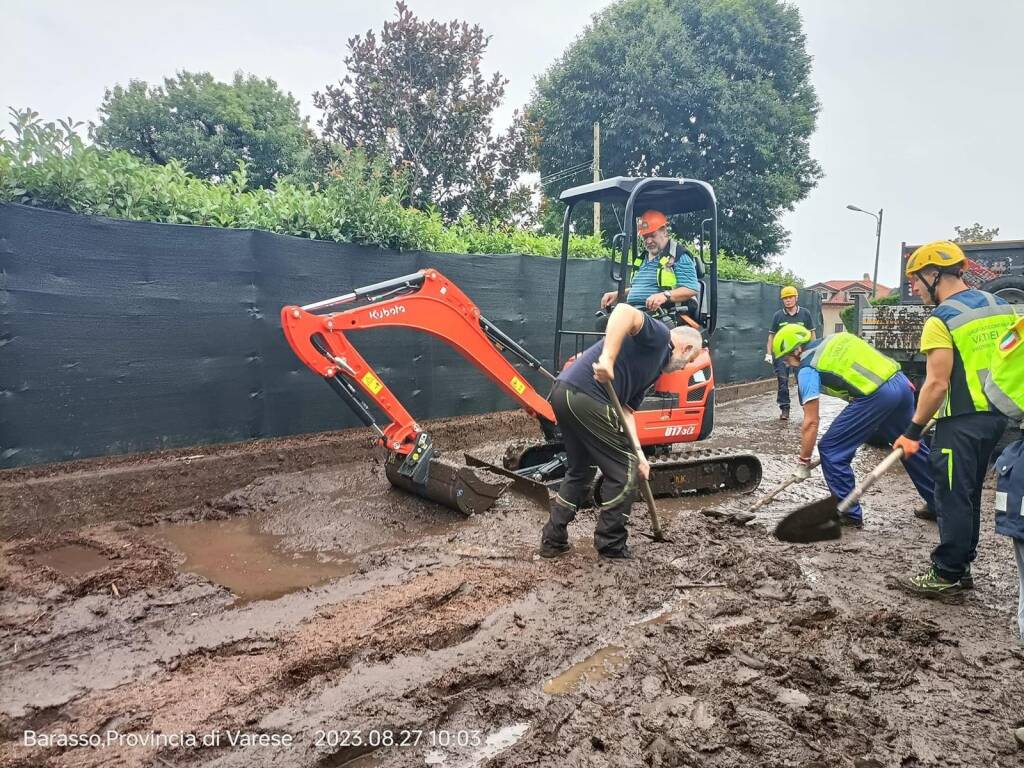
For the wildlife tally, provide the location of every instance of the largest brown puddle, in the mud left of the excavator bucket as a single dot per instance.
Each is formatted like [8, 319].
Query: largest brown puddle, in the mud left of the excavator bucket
[238, 556]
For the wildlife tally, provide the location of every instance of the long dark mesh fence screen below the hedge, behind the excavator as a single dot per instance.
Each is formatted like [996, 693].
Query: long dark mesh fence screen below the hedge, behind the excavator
[119, 337]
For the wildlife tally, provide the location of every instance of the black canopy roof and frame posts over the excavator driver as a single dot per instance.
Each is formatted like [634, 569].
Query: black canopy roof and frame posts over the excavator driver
[636, 195]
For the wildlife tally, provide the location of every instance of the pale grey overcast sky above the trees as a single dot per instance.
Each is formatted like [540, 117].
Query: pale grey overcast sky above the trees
[922, 101]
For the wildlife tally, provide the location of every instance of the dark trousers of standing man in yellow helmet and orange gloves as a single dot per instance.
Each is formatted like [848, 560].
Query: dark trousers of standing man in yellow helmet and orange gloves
[961, 451]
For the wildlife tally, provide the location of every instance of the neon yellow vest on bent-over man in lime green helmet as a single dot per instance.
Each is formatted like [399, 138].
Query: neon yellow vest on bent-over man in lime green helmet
[849, 367]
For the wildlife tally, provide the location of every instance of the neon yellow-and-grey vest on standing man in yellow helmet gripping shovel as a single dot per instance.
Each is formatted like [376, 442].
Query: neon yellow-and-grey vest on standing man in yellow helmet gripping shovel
[975, 332]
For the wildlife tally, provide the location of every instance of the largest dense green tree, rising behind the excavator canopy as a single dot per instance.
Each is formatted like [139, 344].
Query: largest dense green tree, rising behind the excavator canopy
[712, 90]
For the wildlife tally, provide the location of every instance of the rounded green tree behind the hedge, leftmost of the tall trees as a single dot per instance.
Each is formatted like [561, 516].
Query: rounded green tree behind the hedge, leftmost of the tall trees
[207, 125]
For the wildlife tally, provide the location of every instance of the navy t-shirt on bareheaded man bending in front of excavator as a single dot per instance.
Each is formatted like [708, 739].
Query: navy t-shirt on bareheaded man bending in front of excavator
[638, 366]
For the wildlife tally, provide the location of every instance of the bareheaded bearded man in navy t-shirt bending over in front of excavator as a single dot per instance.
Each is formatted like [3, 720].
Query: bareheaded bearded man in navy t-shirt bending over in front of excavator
[635, 352]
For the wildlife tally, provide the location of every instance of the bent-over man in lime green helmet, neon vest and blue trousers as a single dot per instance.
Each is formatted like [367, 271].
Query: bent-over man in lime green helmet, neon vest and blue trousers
[881, 401]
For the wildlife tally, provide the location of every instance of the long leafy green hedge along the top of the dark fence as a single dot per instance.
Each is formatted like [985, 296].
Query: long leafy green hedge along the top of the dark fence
[49, 165]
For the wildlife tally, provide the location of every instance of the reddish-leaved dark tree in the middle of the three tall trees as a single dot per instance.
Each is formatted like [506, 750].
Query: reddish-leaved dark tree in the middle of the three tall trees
[417, 97]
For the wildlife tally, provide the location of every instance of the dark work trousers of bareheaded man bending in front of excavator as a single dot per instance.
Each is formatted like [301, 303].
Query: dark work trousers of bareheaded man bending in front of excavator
[594, 440]
